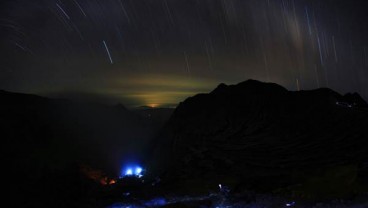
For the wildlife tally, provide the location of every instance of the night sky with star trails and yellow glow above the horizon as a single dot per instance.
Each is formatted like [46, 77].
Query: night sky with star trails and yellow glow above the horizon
[158, 52]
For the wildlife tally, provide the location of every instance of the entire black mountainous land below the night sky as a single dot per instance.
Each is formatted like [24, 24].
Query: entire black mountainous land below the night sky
[263, 143]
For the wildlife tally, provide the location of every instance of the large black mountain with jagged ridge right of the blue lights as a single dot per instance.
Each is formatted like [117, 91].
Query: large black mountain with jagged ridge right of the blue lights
[262, 136]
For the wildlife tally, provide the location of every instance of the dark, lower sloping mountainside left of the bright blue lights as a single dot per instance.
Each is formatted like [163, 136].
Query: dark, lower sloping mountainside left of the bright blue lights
[45, 141]
